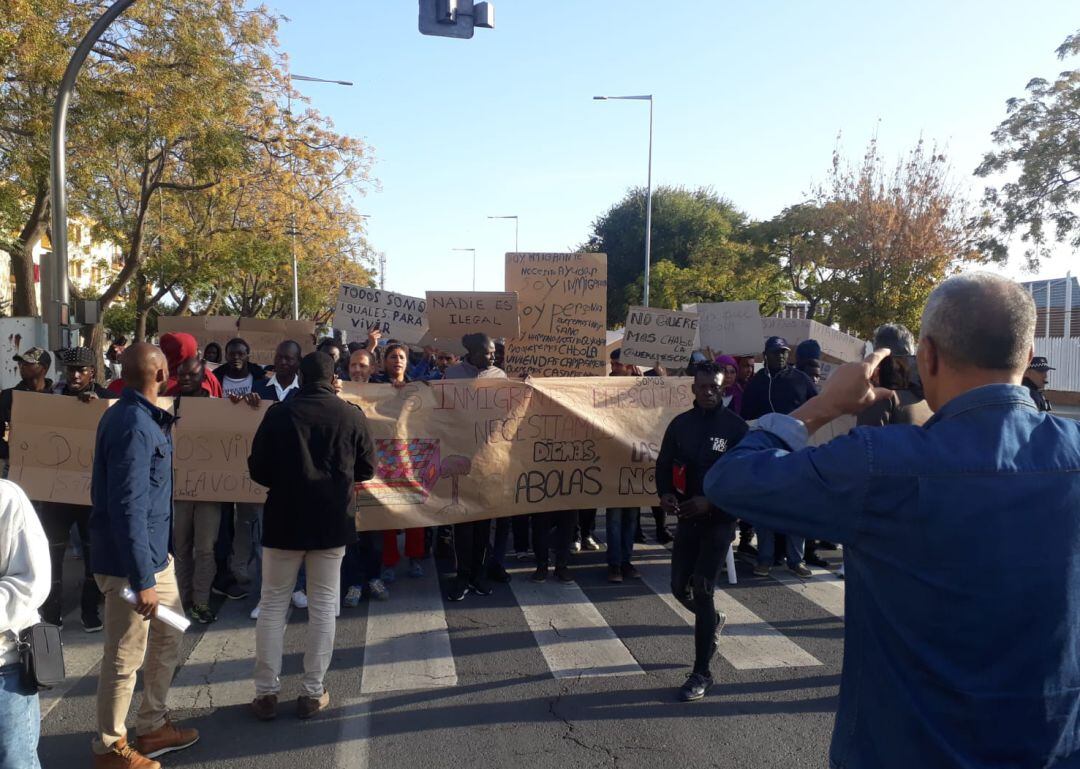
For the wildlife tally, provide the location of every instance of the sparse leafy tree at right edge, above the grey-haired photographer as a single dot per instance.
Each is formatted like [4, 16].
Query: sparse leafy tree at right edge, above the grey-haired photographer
[1038, 144]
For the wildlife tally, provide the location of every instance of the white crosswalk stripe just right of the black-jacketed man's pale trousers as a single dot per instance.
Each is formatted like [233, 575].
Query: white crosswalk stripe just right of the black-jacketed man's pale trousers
[408, 645]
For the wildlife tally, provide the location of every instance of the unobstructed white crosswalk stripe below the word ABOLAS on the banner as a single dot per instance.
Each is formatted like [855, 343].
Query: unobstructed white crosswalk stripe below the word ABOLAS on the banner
[573, 636]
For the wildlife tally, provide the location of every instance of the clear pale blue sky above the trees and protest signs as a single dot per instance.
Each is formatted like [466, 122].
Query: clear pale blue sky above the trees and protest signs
[750, 100]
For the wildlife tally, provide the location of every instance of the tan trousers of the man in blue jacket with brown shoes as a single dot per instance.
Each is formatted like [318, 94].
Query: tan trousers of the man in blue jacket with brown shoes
[131, 643]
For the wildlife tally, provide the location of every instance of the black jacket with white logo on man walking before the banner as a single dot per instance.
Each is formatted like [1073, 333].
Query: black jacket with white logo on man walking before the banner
[694, 442]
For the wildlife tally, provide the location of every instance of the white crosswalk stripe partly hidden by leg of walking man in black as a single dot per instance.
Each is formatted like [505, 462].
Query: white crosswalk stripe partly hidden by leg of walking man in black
[748, 642]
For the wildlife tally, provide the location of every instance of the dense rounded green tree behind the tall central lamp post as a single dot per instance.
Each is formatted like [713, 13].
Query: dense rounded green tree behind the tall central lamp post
[699, 252]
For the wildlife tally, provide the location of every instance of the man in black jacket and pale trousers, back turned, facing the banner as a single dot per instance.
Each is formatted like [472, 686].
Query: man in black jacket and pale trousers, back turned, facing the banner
[309, 452]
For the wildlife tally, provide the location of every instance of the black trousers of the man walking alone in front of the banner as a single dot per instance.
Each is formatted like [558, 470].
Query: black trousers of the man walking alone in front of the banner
[698, 556]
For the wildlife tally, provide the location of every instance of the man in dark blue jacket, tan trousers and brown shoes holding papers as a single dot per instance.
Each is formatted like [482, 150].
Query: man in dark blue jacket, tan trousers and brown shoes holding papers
[130, 524]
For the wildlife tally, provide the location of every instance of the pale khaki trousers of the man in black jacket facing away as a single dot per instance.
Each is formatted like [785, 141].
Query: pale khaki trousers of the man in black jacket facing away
[280, 569]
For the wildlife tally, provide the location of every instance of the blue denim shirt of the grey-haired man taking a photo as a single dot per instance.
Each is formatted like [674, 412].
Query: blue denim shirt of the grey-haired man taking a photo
[963, 561]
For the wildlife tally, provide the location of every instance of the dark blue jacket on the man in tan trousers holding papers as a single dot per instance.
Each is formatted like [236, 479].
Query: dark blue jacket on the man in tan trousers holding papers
[131, 518]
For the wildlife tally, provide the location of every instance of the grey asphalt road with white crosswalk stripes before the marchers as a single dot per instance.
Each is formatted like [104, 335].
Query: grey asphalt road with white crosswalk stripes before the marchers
[551, 676]
